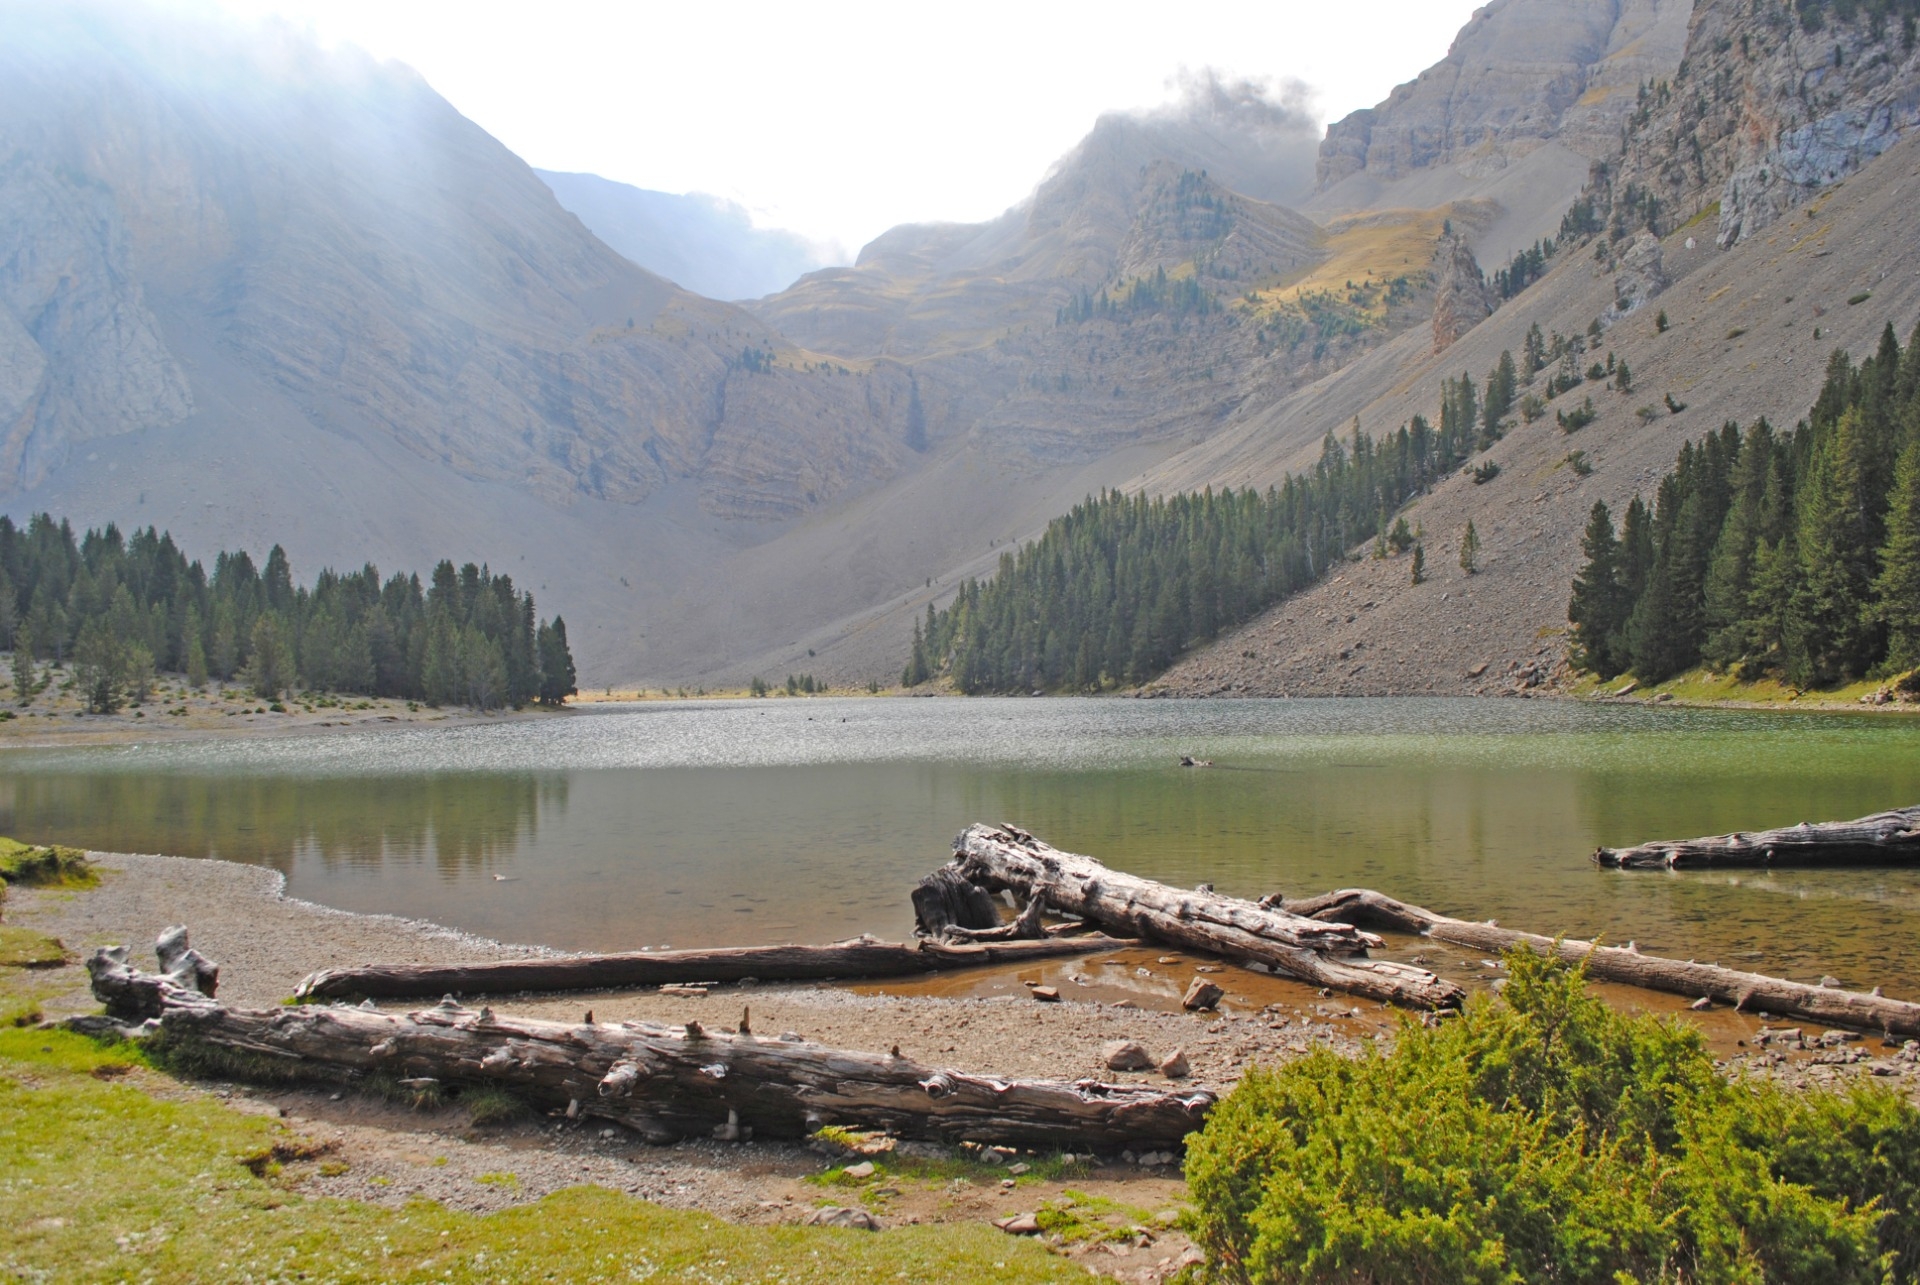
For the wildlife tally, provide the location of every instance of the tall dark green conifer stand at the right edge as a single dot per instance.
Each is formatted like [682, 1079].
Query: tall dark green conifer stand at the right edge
[1771, 554]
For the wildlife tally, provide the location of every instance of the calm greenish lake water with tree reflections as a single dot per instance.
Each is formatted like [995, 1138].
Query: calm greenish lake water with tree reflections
[779, 821]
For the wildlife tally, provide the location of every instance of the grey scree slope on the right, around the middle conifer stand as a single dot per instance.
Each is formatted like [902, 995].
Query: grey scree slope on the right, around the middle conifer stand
[1748, 337]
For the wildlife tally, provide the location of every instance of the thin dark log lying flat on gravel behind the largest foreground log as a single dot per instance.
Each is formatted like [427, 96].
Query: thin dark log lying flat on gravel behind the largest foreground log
[861, 958]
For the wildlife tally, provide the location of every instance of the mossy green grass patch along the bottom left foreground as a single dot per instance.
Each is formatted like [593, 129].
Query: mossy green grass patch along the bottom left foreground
[105, 1182]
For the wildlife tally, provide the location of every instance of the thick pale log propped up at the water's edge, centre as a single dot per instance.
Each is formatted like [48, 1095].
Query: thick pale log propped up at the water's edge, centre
[1330, 956]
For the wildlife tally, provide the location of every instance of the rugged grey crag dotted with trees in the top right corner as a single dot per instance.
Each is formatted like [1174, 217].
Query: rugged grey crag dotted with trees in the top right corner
[1767, 110]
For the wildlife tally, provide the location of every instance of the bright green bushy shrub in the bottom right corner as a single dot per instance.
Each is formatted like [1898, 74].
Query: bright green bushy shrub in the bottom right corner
[1547, 1138]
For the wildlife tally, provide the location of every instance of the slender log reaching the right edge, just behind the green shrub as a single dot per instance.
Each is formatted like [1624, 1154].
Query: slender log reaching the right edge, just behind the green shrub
[1748, 992]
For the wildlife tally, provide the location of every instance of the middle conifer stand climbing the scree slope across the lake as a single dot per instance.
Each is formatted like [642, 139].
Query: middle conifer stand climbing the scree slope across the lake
[1122, 585]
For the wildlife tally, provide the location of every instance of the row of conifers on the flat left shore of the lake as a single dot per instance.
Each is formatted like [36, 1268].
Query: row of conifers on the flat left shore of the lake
[122, 610]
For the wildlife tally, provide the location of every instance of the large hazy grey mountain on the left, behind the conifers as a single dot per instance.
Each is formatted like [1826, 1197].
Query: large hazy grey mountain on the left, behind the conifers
[251, 289]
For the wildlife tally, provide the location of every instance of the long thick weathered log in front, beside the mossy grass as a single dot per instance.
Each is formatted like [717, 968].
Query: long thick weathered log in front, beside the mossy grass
[667, 1082]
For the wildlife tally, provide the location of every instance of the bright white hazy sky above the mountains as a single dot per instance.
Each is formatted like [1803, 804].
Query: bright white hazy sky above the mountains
[844, 118]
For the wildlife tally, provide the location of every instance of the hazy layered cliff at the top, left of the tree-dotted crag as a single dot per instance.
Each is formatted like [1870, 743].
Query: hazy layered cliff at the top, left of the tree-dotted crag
[1522, 74]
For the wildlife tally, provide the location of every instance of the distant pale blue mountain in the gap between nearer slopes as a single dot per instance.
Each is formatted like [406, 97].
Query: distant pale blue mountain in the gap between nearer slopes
[702, 243]
